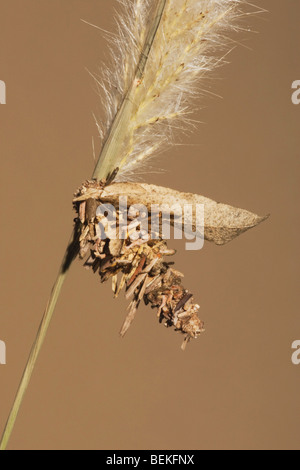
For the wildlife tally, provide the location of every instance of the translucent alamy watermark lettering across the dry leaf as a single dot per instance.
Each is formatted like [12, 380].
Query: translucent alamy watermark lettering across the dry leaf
[160, 222]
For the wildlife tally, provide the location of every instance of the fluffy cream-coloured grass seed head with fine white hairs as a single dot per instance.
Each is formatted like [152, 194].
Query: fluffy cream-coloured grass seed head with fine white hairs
[190, 42]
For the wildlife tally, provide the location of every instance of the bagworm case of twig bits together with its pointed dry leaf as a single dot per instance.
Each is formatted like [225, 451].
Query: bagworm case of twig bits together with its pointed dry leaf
[140, 267]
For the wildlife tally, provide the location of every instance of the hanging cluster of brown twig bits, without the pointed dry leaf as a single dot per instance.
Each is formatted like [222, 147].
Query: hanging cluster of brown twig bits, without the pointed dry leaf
[140, 267]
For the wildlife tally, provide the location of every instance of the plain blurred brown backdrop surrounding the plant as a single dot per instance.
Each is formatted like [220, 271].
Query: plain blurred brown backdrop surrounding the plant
[235, 387]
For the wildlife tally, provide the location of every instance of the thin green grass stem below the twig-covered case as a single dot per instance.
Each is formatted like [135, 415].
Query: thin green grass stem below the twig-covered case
[70, 255]
